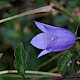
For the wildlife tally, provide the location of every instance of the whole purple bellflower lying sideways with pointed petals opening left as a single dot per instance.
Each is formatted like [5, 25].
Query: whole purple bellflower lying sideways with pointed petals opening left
[52, 39]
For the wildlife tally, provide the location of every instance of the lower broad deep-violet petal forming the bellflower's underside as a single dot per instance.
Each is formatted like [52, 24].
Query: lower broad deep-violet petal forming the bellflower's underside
[60, 44]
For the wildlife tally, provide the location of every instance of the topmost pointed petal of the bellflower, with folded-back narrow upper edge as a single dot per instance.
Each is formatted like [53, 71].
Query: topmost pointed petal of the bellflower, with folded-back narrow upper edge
[41, 26]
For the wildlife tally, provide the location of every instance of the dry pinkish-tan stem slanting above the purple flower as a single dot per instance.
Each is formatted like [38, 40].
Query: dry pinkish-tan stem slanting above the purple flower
[38, 10]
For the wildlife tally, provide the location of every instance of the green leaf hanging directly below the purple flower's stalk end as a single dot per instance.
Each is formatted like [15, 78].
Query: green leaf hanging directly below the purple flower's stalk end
[63, 61]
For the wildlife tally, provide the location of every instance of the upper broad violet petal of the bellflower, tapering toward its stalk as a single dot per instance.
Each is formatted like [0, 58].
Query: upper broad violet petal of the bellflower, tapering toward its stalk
[61, 32]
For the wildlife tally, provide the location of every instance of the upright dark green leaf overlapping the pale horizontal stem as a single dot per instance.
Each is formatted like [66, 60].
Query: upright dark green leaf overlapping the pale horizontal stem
[20, 59]
